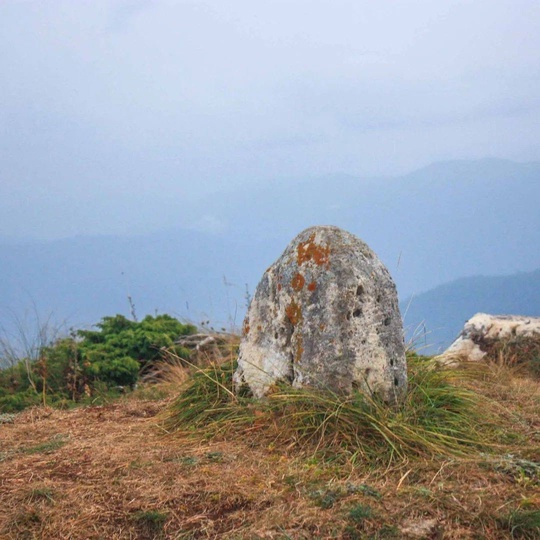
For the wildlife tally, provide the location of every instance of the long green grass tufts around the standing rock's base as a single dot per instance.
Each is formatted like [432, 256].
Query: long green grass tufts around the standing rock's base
[441, 415]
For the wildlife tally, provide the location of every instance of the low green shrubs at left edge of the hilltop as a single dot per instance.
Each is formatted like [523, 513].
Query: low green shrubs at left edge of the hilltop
[73, 367]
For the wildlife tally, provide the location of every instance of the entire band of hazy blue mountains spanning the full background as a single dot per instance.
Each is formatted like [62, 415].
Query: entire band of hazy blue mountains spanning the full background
[446, 221]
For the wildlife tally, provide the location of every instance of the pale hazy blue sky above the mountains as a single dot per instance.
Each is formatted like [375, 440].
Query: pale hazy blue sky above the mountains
[110, 110]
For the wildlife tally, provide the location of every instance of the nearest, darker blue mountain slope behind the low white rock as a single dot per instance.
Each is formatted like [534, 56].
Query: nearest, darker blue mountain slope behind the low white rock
[434, 319]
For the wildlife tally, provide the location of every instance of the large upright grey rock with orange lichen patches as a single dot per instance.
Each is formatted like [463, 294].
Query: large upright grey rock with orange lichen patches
[325, 314]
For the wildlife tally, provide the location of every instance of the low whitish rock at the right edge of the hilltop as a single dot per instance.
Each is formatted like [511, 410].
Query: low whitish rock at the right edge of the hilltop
[485, 329]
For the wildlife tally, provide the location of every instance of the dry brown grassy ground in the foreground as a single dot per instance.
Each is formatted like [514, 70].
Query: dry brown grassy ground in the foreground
[110, 472]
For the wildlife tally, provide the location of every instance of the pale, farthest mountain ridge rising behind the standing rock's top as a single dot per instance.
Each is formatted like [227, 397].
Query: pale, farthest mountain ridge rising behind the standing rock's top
[448, 220]
